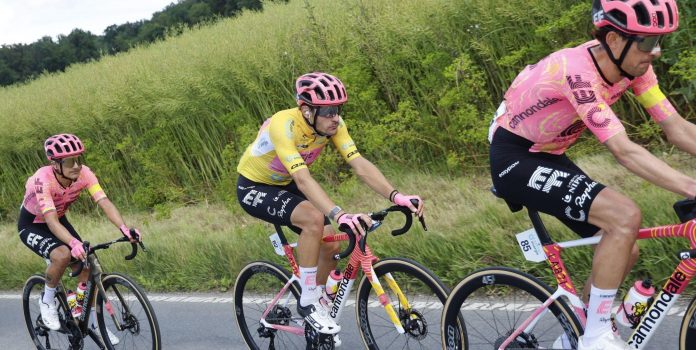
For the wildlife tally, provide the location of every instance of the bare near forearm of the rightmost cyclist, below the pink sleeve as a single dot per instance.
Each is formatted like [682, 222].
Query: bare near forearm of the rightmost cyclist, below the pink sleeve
[644, 164]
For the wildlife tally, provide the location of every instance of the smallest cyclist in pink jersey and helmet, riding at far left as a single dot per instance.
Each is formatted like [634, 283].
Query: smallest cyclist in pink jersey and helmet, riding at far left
[43, 226]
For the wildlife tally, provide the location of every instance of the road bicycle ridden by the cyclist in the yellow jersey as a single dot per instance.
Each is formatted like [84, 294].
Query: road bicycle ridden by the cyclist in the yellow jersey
[266, 297]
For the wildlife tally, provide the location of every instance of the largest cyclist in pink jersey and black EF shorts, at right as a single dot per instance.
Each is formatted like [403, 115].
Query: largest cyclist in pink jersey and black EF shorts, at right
[547, 107]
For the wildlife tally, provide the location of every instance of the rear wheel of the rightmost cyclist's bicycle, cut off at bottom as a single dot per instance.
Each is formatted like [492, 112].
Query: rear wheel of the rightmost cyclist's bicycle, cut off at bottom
[486, 292]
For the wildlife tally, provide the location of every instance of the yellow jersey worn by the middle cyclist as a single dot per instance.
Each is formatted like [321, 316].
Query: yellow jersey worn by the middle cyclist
[285, 144]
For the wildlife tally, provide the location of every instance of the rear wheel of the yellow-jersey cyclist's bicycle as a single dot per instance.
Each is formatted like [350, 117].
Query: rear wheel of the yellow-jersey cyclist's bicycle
[256, 286]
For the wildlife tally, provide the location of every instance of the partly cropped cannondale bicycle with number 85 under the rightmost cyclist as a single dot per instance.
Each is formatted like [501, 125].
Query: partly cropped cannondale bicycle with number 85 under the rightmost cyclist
[505, 308]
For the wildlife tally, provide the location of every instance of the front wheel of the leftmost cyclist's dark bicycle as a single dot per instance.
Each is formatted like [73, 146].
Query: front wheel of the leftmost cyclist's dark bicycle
[126, 305]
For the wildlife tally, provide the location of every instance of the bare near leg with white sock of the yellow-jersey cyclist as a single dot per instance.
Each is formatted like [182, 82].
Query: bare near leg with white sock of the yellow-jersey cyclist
[311, 221]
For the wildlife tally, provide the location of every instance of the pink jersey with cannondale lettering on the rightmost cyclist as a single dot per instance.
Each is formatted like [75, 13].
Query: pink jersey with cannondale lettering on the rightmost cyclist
[550, 103]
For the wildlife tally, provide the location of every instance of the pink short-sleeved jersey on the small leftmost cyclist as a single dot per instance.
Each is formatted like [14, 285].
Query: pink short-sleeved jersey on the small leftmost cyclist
[44, 193]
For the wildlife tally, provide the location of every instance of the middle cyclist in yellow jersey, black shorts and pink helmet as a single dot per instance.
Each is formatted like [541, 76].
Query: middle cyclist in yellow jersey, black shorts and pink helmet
[275, 184]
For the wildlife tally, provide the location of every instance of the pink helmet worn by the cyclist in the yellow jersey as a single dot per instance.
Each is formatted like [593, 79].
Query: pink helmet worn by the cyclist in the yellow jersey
[320, 89]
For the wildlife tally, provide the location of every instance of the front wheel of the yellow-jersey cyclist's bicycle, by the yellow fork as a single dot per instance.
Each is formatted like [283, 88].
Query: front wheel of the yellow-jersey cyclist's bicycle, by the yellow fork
[417, 283]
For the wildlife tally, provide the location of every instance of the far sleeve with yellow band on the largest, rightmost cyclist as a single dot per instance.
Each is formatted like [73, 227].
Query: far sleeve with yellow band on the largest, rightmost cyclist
[650, 96]
